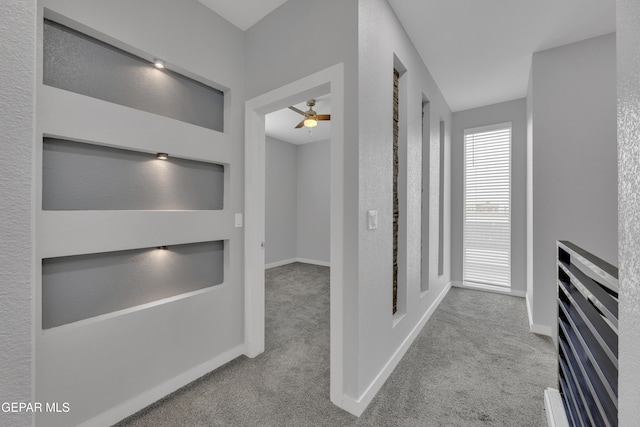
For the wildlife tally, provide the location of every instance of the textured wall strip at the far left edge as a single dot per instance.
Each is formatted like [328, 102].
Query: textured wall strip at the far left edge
[17, 79]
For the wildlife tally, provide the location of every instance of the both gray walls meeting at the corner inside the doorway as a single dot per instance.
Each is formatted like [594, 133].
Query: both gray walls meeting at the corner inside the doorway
[297, 202]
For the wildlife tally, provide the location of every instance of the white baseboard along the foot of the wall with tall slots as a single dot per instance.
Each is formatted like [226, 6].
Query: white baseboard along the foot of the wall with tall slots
[357, 406]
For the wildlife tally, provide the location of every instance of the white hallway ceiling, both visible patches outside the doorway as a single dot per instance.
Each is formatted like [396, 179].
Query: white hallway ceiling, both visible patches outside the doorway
[478, 51]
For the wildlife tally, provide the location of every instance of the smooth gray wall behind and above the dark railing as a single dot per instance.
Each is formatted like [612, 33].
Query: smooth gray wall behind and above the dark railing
[574, 160]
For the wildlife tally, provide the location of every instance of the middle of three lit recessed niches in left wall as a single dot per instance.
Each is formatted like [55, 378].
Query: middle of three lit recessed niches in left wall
[79, 176]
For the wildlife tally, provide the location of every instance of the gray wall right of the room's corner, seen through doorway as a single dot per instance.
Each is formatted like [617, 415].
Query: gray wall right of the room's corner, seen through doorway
[313, 201]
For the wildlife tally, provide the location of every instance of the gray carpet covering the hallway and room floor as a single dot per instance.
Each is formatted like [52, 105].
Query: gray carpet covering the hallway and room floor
[474, 364]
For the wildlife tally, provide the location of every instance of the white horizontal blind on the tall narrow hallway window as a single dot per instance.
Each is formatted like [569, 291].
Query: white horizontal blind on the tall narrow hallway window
[487, 206]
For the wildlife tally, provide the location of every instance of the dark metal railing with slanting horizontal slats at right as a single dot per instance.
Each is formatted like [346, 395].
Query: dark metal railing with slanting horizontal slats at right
[587, 337]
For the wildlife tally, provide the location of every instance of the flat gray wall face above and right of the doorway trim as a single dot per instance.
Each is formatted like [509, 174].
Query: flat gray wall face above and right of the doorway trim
[270, 68]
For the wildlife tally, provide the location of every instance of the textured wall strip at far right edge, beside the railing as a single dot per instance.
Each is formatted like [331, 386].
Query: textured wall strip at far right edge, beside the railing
[628, 40]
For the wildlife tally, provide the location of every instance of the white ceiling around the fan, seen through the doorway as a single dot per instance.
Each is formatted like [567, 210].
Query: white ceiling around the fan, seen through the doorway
[281, 124]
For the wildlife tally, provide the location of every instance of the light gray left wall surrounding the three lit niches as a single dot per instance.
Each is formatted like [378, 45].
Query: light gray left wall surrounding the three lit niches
[156, 348]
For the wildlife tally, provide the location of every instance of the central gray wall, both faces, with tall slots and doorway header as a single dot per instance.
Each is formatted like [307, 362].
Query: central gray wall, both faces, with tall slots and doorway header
[373, 340]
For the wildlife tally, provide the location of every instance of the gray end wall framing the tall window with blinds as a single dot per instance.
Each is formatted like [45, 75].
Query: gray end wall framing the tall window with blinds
[514, 112]
